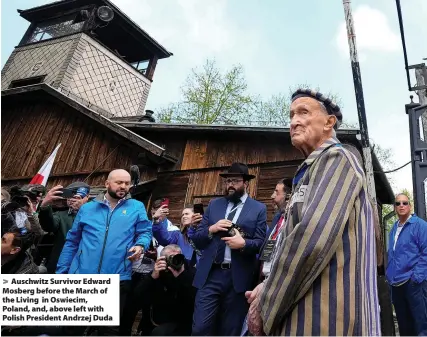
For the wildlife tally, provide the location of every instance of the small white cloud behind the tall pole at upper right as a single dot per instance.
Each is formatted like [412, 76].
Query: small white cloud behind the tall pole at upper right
[373, 33]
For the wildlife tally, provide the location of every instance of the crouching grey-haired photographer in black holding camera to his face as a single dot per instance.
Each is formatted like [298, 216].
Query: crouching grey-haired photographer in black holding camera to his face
[172, 294]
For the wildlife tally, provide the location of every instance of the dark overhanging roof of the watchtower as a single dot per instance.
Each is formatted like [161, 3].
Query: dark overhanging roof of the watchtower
[121, 34]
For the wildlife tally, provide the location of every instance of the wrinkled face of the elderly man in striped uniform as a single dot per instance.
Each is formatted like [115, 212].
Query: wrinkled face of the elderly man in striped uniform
[308, 121]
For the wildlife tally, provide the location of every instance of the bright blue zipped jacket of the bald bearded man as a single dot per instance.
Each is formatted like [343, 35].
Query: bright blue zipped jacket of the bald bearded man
[99, 241]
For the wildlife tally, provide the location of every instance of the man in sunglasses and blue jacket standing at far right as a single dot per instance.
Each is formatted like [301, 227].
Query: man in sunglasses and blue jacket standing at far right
[407, 269]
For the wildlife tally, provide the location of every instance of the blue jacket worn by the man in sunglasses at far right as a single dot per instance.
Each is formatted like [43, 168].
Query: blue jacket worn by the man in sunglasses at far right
[409, 259]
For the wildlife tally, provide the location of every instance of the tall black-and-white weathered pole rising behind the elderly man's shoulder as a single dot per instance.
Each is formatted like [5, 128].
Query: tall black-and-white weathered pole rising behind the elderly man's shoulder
[357, 79]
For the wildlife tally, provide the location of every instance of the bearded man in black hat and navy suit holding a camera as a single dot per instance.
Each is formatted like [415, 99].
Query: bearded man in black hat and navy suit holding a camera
[228, 262]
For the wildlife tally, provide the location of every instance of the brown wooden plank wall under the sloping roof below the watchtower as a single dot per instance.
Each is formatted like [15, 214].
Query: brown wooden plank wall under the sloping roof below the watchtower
[30, 132]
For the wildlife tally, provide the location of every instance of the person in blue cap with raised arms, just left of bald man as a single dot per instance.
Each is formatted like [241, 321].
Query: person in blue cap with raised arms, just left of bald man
[59, 223]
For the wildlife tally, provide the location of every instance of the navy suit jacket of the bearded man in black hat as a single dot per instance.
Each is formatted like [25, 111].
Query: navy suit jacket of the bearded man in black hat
[253, 221]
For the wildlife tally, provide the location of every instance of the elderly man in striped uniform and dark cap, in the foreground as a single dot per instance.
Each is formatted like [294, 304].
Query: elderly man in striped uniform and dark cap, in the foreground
[323, 276]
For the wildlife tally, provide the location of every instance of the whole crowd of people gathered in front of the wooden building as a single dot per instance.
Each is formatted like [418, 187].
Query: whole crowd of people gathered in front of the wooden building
[223, 270]
